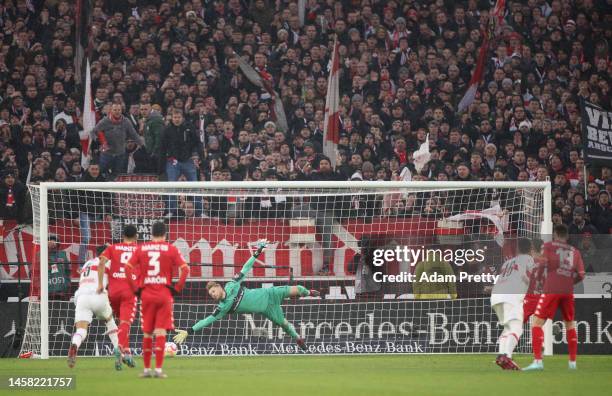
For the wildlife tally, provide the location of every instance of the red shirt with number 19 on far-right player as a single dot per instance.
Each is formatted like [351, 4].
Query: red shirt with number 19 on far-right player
[564, 267]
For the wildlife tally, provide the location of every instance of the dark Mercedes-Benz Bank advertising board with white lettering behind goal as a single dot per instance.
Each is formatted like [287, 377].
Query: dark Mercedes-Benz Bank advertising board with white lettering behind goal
[354, 328]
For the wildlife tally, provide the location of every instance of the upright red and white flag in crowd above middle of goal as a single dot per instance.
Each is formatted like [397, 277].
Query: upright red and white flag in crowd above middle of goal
[331, 133]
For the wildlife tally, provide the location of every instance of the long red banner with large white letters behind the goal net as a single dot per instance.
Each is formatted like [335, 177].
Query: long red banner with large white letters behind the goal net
[225, 246]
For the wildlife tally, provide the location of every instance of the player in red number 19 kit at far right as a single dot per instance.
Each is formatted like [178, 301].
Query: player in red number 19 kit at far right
[564, 268]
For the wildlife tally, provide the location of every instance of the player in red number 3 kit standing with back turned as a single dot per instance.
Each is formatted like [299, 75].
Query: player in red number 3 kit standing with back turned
[155, 261]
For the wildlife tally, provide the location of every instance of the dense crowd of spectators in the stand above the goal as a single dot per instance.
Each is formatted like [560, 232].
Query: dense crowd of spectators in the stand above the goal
[170, 97]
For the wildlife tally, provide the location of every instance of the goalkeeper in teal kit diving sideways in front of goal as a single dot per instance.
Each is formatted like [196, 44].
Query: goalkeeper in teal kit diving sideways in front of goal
[235, 298]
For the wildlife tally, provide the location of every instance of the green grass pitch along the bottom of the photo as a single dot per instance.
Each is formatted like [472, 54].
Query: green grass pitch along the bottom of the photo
[454, 375]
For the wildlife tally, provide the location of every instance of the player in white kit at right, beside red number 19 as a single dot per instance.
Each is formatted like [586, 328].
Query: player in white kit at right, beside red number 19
[507, 301]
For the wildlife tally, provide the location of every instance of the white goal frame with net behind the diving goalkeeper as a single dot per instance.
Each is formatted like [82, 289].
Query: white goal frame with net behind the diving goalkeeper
[326, 236]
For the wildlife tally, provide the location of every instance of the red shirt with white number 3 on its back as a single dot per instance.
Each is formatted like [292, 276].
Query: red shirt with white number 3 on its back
[155, 262]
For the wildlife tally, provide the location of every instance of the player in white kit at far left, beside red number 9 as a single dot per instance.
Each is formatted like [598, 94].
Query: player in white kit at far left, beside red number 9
[89, 303]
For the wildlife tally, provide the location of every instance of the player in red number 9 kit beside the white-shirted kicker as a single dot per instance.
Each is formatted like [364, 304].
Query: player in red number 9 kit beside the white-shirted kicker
[121, 297]
